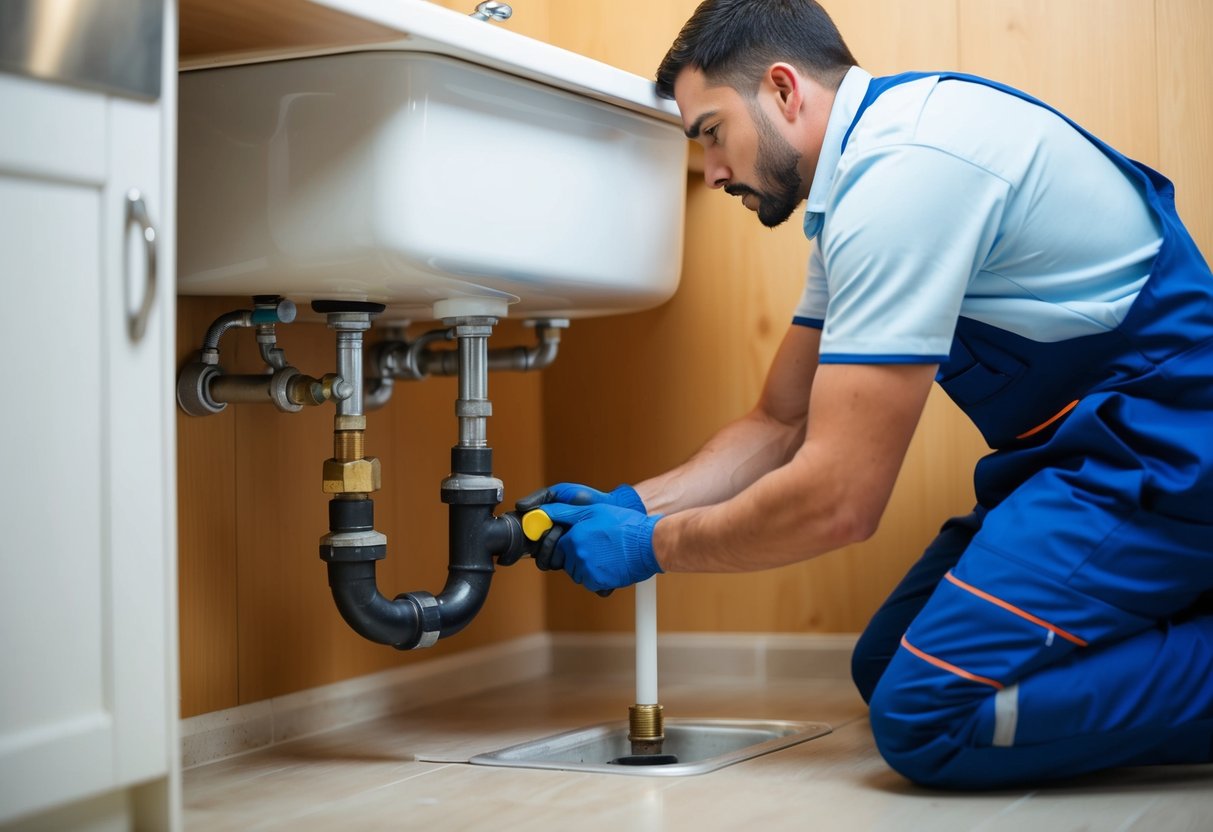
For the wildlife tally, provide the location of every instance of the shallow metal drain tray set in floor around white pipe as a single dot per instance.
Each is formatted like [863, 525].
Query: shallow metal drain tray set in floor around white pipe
[701, 745]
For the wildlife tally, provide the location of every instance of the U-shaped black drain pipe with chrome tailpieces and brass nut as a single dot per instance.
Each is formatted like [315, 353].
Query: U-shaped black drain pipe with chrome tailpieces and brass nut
[352, 546]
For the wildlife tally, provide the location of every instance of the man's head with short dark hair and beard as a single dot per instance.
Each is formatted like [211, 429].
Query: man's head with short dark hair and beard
[755, 81]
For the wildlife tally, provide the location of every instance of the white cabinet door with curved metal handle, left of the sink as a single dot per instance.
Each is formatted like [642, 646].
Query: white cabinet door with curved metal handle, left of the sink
[88, 636]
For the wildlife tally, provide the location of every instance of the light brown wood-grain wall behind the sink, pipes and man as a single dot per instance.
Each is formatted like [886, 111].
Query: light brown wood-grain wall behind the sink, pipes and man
[636, 395]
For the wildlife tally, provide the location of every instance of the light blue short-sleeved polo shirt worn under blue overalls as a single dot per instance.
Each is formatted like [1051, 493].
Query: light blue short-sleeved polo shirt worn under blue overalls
[956, 200]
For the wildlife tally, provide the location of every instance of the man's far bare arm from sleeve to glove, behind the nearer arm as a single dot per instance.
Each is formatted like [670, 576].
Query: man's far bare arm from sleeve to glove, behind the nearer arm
[745, 451]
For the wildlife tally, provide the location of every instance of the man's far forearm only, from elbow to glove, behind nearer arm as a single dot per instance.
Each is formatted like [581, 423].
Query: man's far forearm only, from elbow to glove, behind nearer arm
[732, 460]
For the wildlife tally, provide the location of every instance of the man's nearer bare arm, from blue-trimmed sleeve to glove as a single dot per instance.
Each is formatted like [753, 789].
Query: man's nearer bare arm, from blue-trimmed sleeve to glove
[833, 492]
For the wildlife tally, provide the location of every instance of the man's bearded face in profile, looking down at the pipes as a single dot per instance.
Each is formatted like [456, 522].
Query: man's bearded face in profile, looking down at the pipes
[744, 152]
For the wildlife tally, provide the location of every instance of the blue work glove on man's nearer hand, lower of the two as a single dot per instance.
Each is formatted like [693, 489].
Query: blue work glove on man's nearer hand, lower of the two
[605, 546]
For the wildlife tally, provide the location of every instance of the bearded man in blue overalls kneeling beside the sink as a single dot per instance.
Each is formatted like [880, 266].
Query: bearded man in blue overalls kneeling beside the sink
[969, 235]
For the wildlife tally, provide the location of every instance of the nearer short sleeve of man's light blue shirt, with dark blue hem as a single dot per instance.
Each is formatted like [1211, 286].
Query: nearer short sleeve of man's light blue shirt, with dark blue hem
[908, 227]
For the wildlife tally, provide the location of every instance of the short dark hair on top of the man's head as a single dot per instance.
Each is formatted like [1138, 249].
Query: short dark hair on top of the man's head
[734, 42]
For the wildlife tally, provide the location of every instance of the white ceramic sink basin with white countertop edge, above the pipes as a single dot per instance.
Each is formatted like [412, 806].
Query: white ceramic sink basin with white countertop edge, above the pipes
[464, 166]
